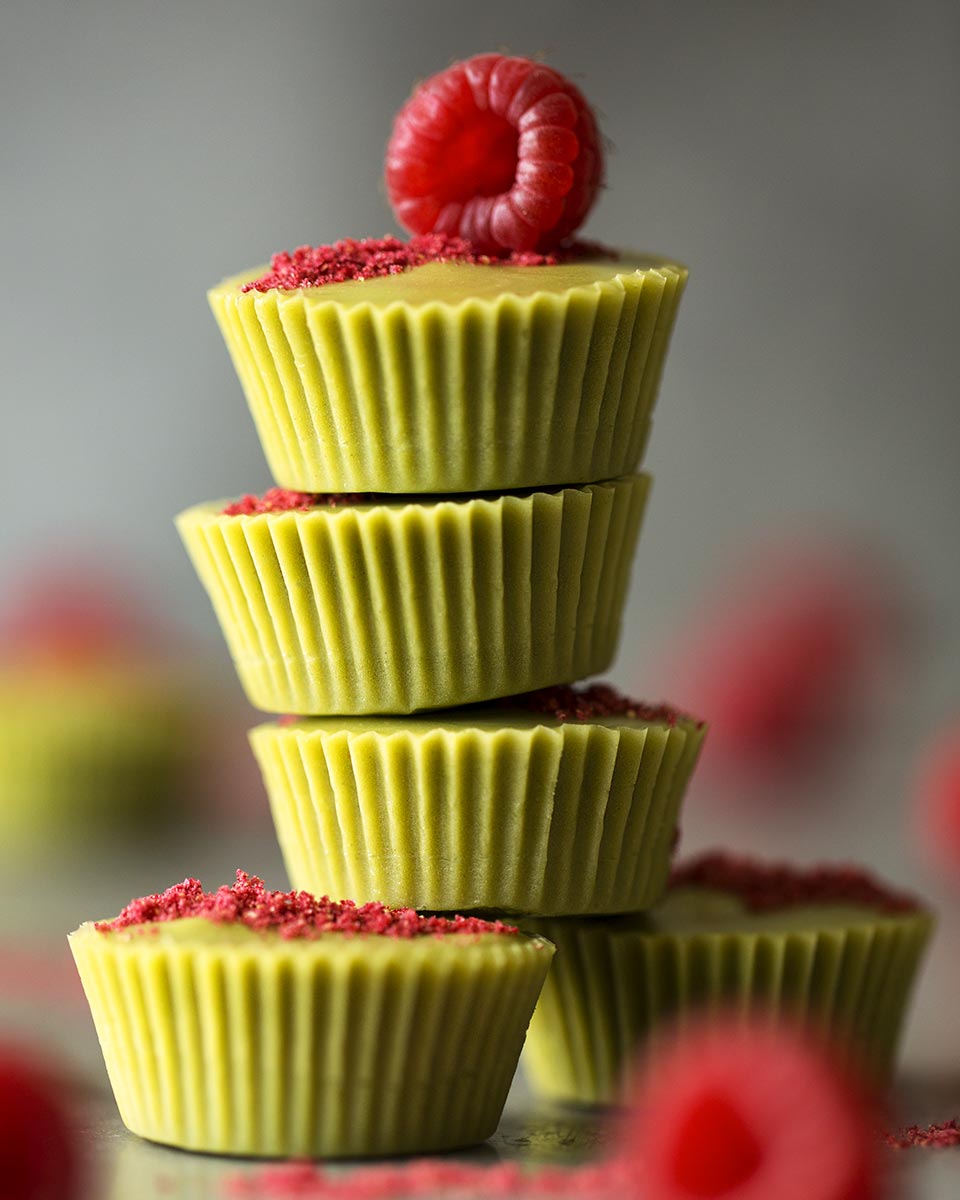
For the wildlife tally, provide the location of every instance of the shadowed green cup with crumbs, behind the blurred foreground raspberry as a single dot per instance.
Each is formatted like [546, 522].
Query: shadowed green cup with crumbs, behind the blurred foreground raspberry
[829, 947]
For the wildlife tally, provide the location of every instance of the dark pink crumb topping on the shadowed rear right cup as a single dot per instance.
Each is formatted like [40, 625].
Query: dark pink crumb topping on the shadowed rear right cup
[769, 886]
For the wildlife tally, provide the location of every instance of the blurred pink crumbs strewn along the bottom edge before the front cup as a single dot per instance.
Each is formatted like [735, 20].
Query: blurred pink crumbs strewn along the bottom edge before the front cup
[610, 1180]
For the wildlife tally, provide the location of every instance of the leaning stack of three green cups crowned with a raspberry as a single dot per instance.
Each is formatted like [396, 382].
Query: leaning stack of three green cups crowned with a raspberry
[454, 425]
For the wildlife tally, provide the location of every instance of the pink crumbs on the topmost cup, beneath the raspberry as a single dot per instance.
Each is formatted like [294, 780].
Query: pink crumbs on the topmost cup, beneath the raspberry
[365, 259]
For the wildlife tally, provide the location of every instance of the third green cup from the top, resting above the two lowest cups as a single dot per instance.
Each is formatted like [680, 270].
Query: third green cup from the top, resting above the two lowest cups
[493, 808]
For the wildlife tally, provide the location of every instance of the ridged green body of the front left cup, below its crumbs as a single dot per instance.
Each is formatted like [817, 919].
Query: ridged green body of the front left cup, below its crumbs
[303, 1053]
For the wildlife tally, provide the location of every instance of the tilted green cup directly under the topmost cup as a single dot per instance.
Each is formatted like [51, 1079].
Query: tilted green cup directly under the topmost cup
[392, 608]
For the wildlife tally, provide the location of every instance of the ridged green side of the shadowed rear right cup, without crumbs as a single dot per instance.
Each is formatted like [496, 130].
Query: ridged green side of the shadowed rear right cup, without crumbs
[614, 989]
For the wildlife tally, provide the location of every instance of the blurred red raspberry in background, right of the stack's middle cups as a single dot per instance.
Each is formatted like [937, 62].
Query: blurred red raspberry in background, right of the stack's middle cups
[788, 658]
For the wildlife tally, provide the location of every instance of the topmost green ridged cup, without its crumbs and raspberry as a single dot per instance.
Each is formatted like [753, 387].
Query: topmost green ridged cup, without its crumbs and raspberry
[455, 377]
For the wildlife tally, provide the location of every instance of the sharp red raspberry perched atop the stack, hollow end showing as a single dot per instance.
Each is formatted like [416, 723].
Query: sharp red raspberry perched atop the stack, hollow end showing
[502, 152]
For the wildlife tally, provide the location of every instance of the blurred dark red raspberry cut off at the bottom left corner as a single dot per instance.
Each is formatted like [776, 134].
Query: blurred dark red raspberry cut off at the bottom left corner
[39, 1159]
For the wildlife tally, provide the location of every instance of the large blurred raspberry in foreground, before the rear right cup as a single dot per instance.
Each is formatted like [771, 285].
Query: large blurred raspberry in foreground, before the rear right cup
[747, 1113]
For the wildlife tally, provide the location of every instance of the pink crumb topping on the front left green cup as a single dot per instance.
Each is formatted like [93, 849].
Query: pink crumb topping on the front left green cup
[292, 914]
